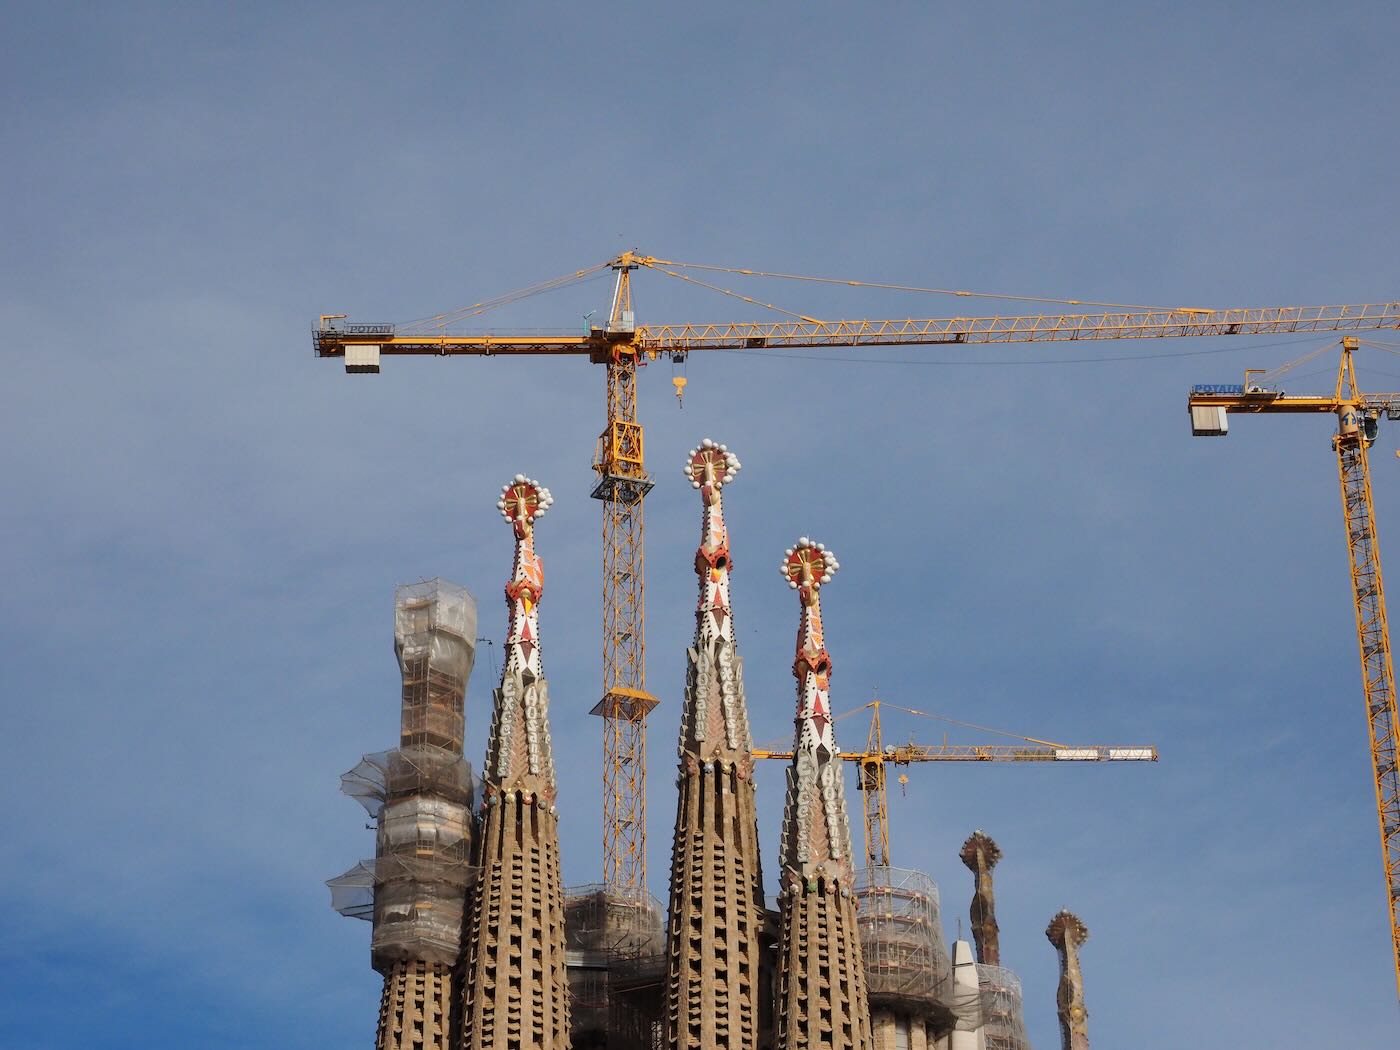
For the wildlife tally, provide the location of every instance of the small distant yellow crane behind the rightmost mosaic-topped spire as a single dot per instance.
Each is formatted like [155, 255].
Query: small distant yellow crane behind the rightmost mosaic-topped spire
[878, 755]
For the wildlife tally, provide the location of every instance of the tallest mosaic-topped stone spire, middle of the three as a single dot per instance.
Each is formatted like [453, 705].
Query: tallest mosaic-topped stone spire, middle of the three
[716, 880]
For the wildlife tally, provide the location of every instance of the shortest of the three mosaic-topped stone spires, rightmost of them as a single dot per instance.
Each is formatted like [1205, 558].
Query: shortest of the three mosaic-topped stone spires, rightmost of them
[822, 1003]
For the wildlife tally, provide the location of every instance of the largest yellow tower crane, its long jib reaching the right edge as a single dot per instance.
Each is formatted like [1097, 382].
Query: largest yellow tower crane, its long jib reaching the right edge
[622, 346]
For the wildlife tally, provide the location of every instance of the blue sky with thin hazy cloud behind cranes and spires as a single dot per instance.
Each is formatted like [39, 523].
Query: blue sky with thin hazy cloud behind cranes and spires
[204, 524]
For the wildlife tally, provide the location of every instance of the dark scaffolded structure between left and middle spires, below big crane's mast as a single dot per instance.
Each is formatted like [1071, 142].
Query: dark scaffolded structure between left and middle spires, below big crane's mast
[617, 969]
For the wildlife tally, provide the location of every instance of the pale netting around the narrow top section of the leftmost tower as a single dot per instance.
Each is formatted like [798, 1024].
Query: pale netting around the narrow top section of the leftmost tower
[435, 639]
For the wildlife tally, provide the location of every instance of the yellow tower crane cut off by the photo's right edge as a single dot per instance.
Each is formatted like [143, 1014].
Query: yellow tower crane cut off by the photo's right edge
[1357, 418]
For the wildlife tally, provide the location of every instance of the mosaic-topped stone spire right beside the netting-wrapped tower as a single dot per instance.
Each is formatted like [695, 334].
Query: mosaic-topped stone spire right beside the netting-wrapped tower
[516, 995]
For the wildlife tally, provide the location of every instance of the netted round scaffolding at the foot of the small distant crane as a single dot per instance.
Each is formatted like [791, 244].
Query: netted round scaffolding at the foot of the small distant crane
[902, 937]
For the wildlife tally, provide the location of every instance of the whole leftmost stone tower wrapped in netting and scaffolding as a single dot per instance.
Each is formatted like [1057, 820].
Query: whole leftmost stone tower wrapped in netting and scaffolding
[421, 796]
